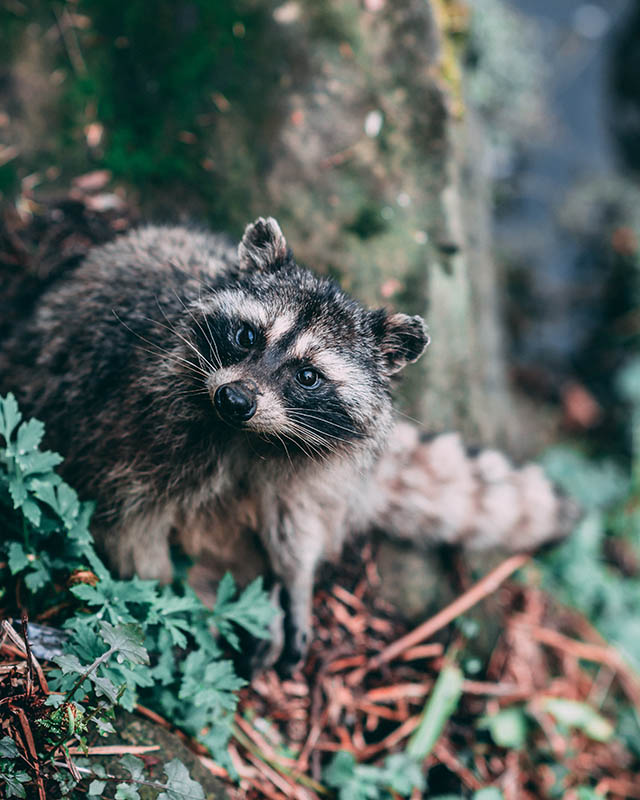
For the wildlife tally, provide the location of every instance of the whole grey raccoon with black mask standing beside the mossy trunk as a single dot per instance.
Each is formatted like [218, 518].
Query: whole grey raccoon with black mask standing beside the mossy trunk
[234, 397]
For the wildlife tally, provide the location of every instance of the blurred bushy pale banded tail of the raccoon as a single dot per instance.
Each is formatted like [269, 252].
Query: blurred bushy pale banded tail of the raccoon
[434, 490]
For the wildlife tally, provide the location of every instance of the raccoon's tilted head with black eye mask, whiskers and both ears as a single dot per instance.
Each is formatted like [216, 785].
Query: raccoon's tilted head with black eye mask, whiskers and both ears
[293, 359]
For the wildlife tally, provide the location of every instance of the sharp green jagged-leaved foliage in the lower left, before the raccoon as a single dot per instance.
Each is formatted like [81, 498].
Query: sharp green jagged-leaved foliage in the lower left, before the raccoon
[130, 640]
